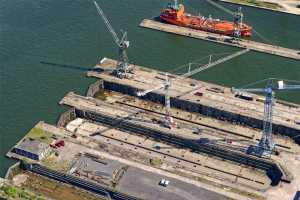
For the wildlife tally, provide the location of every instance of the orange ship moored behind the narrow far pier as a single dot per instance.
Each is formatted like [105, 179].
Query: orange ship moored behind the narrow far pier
[175, 14]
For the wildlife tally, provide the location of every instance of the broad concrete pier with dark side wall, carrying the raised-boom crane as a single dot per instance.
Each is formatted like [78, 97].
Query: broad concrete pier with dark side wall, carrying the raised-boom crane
[204, 98]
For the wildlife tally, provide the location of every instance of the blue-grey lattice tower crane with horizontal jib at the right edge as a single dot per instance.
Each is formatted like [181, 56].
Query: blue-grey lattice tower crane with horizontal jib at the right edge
[266, 145]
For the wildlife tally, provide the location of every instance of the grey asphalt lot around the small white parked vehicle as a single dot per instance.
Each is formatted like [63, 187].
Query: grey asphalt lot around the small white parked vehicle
[144, 185]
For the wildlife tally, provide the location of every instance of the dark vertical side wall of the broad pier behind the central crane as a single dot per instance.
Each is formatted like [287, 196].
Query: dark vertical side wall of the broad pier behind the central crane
[204, 110]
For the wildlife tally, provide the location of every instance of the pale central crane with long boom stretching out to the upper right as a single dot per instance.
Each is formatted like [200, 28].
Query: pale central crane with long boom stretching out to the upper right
[168, 121]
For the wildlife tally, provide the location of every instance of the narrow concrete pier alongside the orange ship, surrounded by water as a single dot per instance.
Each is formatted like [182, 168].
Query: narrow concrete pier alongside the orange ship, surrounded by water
[256, 46]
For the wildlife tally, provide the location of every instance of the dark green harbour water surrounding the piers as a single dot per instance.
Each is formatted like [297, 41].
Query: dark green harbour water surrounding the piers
[70, 32]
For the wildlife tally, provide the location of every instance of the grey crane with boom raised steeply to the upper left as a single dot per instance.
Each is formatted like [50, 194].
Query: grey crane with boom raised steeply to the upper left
[122, 67]
